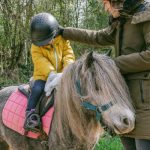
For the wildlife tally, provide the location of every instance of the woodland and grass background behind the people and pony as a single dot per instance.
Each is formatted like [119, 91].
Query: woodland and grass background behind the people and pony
[15, 60]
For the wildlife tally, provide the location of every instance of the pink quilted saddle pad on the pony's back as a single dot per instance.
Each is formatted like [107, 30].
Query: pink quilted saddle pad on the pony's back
[13, 115]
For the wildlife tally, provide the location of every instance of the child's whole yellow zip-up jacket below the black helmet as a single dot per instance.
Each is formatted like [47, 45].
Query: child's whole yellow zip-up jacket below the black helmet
[51, 57]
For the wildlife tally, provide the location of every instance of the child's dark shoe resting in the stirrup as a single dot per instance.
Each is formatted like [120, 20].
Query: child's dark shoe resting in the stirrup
[33, 123]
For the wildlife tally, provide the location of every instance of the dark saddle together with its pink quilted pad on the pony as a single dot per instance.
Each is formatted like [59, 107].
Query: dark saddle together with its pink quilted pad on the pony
[13, 114]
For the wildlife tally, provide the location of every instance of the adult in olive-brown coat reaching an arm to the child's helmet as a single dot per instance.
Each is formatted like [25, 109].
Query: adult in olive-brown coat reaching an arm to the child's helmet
[129, 32]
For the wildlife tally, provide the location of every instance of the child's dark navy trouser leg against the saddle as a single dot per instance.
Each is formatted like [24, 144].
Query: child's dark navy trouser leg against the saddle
[36, 93]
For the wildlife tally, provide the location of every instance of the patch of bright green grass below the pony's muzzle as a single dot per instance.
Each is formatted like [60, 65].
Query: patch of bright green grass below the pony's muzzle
[109, 143]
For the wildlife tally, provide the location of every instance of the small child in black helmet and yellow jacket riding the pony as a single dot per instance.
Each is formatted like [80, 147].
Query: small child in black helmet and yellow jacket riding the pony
[50, 54]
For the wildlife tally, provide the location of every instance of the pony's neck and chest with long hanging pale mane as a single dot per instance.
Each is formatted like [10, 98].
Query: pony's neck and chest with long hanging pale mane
[72, 126]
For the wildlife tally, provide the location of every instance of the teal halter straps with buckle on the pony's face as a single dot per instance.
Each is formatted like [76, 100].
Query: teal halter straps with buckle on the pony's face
[98, 109]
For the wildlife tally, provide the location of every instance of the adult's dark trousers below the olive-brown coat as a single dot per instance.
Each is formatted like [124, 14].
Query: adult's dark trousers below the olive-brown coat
[135, 144]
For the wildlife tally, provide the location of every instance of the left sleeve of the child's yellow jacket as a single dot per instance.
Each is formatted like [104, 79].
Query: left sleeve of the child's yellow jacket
[41, 64]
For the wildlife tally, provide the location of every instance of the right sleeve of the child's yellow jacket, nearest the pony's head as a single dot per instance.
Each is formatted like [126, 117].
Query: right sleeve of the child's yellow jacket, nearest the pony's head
[68, 54]
